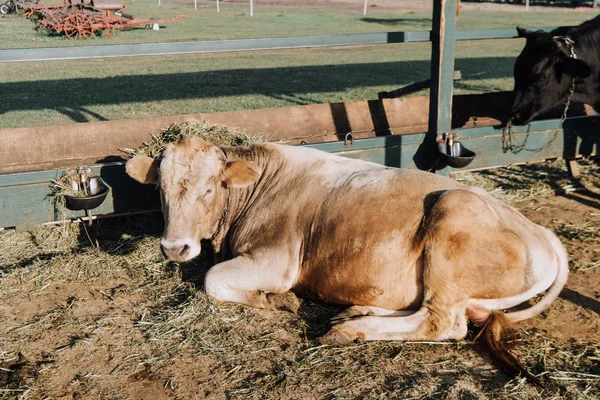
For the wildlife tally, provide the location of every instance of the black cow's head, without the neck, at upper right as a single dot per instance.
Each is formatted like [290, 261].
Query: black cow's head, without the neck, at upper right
[543, 72]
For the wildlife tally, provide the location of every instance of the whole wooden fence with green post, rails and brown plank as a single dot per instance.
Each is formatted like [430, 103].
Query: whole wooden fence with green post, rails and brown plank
[399, 132]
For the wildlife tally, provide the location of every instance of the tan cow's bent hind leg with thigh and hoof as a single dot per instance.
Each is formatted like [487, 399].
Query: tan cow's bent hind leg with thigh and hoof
[466, 254]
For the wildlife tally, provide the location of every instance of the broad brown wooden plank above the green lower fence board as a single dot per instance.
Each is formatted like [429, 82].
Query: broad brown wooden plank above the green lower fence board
[61, 146]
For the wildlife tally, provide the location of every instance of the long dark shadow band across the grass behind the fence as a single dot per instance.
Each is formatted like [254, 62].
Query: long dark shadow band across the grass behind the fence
[73, 97]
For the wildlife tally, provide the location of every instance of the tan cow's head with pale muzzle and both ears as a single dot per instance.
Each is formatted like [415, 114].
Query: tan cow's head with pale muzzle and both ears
[194, 179]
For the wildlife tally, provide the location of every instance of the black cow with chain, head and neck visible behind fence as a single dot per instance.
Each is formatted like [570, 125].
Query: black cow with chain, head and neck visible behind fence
[549, 66]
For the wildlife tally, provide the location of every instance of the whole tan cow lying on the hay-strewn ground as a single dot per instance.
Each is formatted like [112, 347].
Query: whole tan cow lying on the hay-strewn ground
[413, 254]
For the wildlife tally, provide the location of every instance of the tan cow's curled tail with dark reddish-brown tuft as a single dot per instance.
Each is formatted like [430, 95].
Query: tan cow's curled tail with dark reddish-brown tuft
[495, 324]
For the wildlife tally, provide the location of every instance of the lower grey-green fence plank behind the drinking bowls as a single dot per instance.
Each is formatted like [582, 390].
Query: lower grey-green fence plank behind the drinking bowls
[25, 197]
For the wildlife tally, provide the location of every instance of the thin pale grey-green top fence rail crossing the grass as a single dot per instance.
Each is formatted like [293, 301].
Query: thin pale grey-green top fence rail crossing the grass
[229, 45]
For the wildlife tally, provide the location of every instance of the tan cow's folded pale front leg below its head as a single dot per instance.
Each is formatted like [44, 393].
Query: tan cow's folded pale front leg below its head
[258, 280]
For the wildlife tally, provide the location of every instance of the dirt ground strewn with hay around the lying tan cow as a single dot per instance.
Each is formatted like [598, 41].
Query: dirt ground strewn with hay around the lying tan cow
[94, 312]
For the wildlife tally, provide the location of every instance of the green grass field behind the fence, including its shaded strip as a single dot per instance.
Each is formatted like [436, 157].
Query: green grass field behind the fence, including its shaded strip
[60, 92]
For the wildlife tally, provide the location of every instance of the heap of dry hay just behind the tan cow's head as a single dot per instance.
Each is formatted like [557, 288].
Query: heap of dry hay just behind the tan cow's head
[215, 134]
